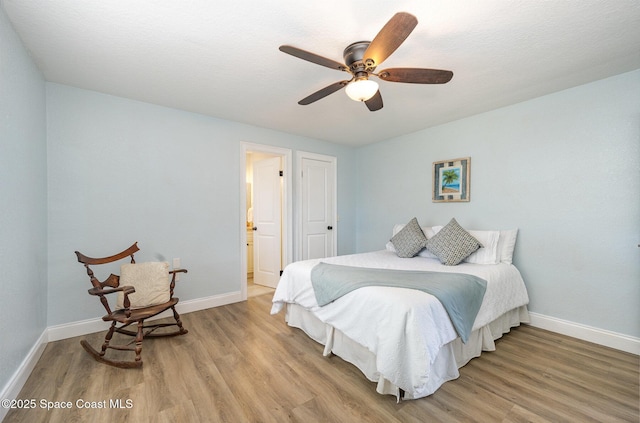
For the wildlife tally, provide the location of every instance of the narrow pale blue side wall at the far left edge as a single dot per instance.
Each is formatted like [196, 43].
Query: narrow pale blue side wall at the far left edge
[23, 208]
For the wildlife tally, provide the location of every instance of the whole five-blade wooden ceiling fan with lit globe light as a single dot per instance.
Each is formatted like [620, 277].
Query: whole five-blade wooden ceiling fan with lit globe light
[361, 59]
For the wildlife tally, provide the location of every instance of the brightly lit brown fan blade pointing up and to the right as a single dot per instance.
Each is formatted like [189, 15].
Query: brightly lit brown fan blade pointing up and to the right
[389, 38]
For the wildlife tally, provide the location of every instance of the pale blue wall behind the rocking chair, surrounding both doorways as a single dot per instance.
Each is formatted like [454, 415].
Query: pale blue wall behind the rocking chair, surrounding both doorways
[122, 171]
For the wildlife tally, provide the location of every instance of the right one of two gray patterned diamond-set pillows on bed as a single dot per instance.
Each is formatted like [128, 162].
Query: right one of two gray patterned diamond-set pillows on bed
[452, 244]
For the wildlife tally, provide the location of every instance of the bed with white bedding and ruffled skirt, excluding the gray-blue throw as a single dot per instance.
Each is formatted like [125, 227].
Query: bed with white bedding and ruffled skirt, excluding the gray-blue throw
[403, 339]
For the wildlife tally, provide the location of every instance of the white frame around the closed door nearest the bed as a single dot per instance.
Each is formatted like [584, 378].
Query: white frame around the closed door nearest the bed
[300, 155]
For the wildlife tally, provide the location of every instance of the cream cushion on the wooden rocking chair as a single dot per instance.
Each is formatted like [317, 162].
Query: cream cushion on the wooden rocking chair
[151, 281]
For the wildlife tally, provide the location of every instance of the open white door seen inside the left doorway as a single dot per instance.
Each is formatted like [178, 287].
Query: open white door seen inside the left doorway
[267, 222]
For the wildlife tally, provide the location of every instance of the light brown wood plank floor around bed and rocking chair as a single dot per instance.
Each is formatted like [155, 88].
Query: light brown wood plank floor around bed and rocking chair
[239, 364]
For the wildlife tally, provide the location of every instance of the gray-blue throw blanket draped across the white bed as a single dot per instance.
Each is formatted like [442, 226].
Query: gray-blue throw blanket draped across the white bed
[460, 294]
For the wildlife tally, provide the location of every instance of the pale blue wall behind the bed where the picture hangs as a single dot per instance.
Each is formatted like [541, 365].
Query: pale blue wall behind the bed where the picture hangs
[564, 169]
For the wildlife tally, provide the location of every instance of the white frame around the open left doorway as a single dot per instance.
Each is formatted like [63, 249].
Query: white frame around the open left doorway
[287, 207]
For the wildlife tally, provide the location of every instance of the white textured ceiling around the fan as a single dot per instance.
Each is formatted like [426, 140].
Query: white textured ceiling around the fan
[221, 58]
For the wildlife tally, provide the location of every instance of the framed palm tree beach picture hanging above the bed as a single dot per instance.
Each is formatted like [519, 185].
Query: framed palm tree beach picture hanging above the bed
[451, 180]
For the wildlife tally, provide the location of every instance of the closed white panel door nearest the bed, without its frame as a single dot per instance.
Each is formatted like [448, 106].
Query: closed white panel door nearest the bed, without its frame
[317, 208]
